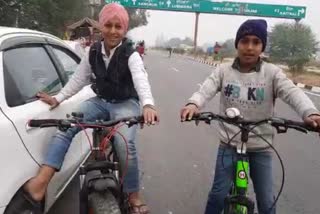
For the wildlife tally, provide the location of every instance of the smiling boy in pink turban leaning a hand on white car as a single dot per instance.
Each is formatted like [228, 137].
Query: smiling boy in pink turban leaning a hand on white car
[121, 85]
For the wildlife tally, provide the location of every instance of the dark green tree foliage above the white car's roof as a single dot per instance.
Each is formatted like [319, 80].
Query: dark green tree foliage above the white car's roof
[44, 15]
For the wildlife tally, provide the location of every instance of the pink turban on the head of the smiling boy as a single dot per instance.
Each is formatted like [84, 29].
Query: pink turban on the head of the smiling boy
[111, 10]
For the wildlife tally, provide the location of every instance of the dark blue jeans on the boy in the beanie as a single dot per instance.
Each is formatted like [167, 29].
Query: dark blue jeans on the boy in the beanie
[260, 172]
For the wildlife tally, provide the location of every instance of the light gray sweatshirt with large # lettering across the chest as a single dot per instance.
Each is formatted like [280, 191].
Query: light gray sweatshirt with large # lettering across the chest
[254, 95]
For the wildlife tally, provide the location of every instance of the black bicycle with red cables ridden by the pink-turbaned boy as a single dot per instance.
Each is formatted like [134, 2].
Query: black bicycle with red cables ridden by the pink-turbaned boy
[100, 176]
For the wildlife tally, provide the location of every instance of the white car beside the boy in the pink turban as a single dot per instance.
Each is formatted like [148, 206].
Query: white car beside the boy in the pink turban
[30, 62]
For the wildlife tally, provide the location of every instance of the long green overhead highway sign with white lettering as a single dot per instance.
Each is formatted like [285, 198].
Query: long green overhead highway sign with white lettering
[218, 7]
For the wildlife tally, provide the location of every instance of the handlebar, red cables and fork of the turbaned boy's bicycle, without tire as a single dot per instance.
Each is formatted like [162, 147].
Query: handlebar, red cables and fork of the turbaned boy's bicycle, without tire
[103, 172]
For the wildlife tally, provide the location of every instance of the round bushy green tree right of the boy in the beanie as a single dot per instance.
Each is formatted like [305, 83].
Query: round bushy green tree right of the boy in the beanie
[293, 44]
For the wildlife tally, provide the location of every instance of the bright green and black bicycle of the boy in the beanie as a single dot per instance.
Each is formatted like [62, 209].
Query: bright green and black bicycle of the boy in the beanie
[238, 201]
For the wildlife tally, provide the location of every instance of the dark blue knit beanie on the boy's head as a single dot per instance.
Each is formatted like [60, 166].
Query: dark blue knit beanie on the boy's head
[257, 27]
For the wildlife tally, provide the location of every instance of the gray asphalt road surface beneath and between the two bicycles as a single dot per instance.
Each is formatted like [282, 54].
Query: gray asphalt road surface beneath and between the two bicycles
[177, 159]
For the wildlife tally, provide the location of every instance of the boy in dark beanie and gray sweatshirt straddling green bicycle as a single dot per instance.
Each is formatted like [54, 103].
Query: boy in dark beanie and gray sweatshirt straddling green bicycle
[251, 85]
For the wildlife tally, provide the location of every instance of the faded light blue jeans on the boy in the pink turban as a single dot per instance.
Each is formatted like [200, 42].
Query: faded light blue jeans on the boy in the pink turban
[93, 109]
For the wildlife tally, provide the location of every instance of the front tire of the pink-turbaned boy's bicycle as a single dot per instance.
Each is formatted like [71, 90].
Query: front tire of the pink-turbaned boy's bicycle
[103, 203]
